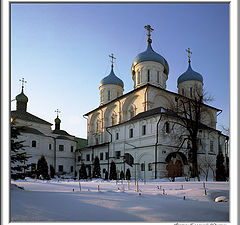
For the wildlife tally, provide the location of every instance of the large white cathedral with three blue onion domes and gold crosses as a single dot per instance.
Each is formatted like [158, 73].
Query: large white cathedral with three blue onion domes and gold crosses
[137, 124]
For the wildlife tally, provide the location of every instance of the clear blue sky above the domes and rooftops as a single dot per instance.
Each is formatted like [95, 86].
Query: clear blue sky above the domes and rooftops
[62, 51]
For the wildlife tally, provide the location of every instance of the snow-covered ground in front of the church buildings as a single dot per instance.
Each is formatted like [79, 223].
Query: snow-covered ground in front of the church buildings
[63, 201]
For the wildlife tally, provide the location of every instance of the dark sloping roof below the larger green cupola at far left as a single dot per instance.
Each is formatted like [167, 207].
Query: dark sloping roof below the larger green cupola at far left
[18, 114]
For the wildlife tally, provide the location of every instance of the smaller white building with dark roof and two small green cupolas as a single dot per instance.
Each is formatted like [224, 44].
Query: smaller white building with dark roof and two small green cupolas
[57, 146]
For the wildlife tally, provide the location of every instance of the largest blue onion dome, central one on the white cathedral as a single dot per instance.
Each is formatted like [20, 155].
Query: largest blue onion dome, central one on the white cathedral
[150, 55]
